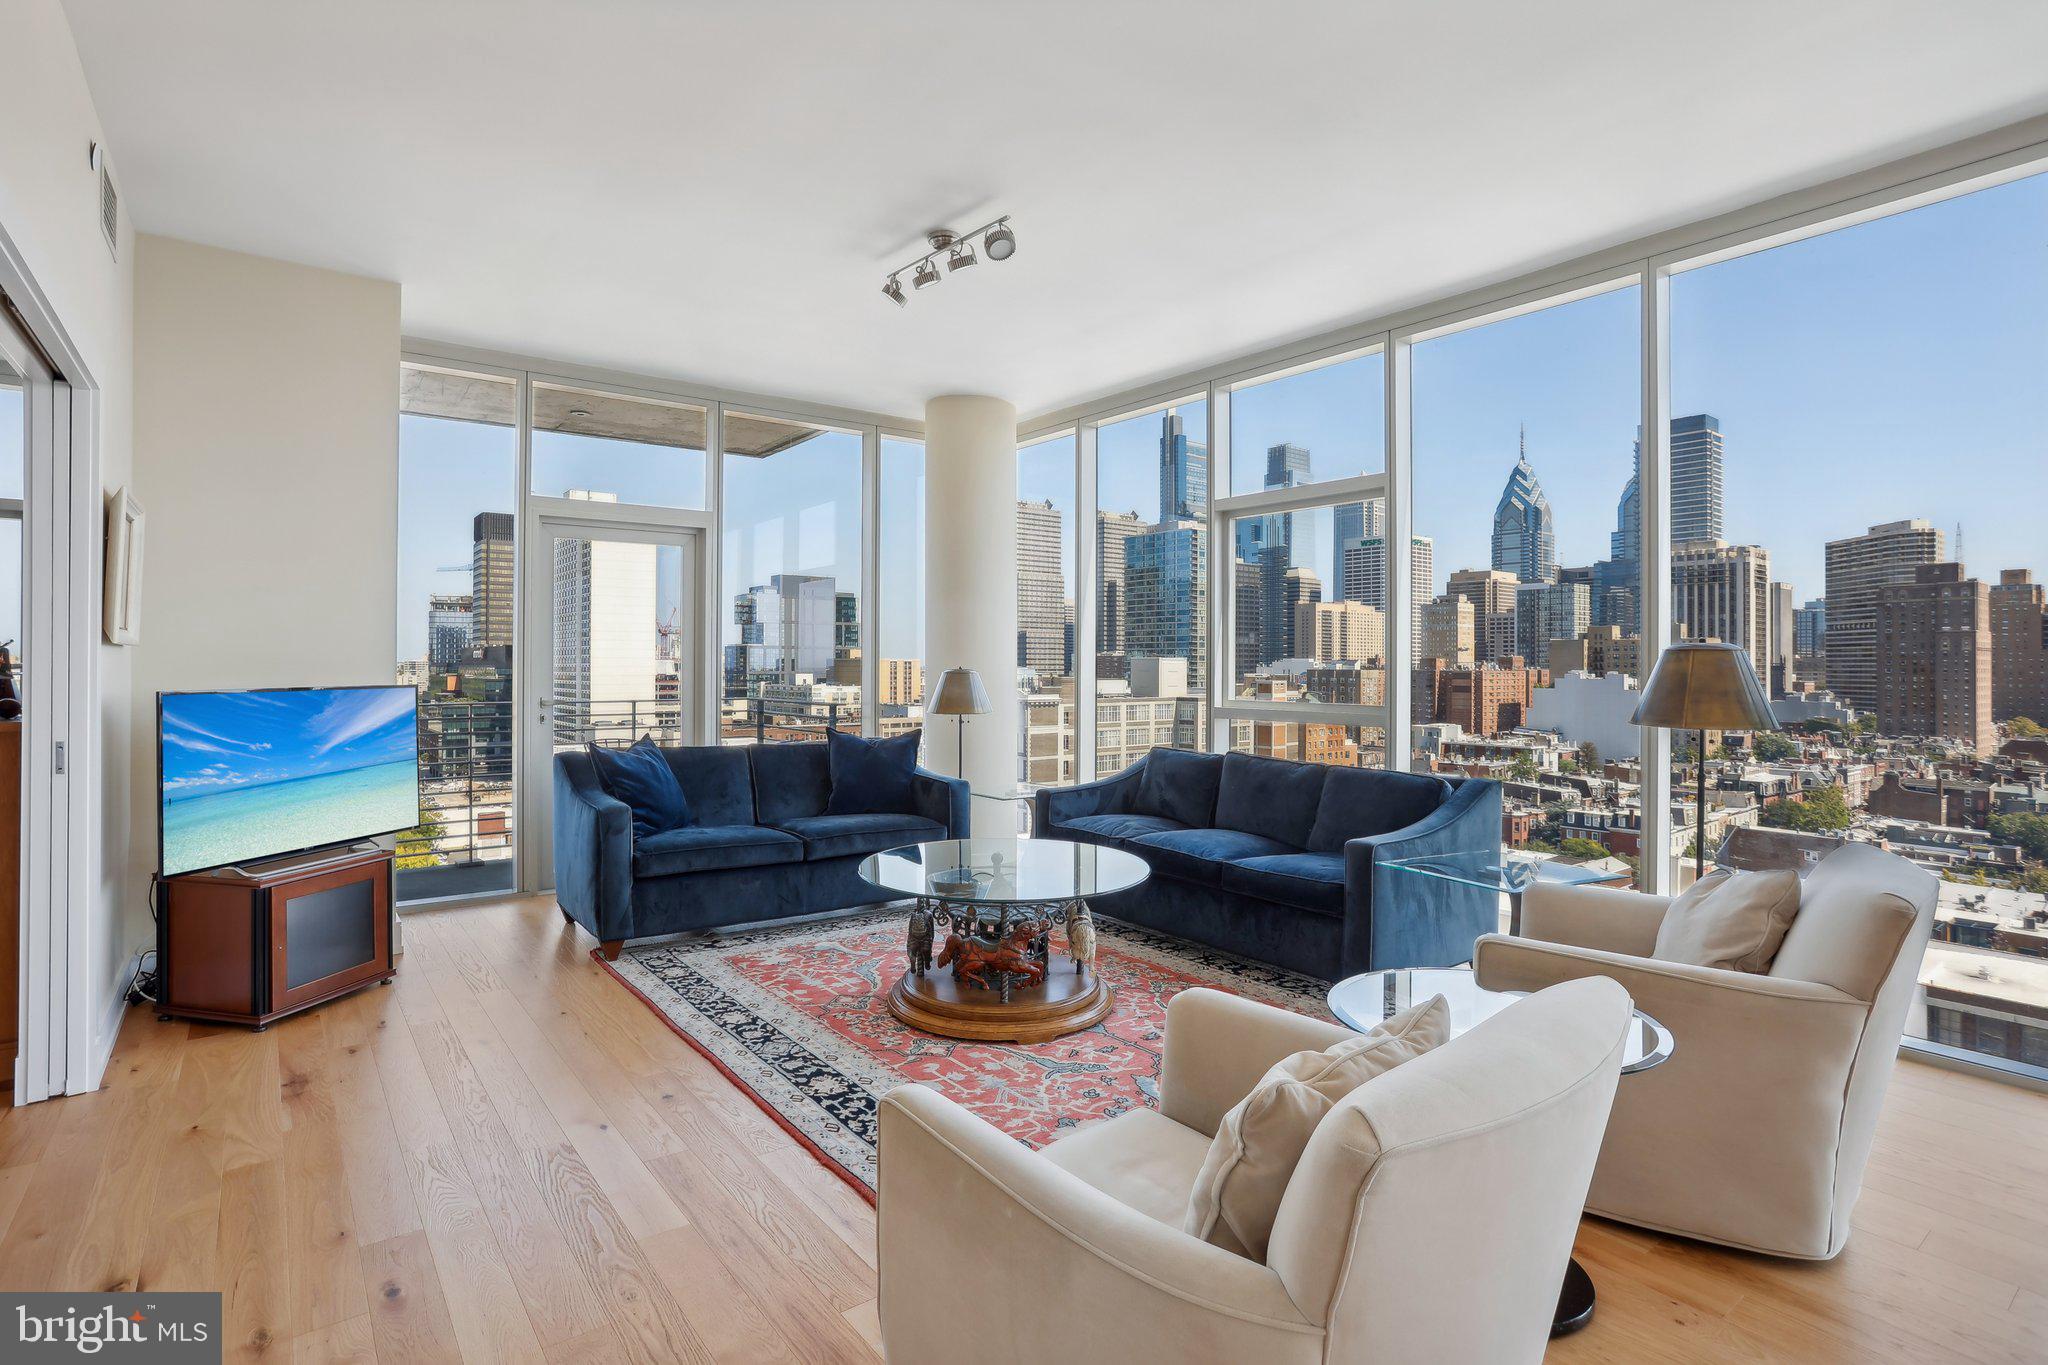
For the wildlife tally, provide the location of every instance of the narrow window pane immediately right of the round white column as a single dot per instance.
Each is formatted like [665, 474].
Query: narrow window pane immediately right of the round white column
[1048, 621]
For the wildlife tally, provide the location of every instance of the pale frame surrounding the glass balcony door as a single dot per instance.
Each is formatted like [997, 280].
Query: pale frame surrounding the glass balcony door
[542, 523]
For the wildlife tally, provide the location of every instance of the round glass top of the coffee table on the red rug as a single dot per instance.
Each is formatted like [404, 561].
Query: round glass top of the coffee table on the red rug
[1005, 871]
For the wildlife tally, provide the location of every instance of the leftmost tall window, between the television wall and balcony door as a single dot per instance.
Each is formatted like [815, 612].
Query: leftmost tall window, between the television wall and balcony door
[456, 623]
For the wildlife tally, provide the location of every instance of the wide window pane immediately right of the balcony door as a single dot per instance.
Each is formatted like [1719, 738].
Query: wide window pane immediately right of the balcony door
[792, 615]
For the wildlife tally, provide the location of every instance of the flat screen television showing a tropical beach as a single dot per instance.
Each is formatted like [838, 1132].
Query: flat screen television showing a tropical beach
[259, 775]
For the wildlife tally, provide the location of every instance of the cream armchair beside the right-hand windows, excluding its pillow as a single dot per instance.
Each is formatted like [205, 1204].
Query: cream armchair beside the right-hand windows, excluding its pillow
[1756, 1133]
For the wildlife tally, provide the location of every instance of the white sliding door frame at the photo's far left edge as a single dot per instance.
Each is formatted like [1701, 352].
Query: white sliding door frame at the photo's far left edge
[69, 1018]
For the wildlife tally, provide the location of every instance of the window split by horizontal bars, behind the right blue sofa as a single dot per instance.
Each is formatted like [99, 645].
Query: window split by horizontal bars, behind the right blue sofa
[1308, 586]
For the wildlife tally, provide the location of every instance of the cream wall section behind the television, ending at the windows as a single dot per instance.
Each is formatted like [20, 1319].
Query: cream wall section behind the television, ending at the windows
[267, 461]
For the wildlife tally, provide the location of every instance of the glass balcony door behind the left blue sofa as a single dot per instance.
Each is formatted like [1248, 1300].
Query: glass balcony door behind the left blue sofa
[615, 650]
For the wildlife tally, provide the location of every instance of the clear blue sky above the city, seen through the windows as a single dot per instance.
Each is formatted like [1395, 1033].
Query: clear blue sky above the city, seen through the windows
[1885, 371]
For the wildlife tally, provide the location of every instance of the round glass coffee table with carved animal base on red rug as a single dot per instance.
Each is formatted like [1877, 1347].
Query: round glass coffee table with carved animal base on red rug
[980, 949]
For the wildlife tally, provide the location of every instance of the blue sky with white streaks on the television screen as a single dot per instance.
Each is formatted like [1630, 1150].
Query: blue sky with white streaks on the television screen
[230, 740]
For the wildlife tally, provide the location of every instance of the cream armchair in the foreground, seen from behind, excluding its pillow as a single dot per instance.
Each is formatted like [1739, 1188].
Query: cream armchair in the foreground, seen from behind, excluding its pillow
[1428, 1221]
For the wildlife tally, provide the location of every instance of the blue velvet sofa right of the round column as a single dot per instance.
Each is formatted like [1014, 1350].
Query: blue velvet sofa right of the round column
[1279, 861]
